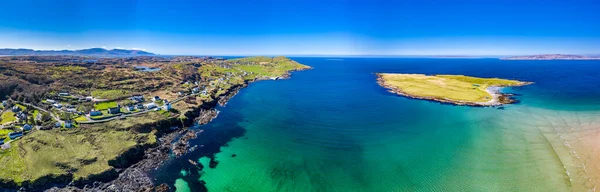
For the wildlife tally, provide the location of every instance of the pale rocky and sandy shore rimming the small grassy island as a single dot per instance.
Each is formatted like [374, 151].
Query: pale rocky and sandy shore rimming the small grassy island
[498, 98]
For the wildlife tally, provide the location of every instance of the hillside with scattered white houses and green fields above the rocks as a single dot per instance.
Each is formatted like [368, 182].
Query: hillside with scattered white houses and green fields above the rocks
[50, 98]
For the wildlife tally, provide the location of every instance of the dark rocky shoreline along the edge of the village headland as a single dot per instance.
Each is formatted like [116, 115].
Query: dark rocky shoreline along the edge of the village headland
[136, 177]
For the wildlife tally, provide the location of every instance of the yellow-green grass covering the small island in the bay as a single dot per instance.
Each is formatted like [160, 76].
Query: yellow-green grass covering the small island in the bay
[446, 87]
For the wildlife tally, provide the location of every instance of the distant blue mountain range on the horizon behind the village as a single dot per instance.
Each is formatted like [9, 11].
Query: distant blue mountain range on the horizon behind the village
[82, 52]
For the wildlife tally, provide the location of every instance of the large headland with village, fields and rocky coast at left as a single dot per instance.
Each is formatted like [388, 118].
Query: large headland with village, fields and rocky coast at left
[73, 121]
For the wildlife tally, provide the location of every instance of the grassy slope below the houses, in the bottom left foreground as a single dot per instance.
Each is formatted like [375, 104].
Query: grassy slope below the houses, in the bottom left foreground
[82, 152]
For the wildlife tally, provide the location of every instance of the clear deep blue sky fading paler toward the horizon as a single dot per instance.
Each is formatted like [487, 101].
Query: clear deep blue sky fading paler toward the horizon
[306, 27]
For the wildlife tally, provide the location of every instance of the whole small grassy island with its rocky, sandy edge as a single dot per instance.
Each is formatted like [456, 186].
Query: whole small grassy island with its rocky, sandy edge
[454, 89]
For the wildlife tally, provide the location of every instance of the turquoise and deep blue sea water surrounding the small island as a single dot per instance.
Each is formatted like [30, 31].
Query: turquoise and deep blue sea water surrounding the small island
[334, 129]
